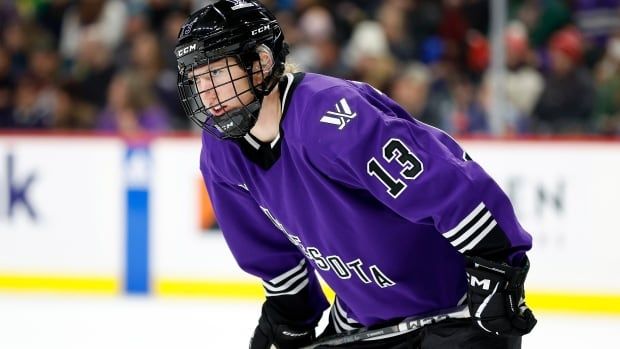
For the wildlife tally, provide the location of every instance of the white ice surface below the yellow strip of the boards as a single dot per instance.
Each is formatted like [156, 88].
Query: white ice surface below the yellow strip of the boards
[93, 322]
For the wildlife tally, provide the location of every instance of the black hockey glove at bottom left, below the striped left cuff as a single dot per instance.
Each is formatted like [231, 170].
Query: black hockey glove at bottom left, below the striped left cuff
[280, 335]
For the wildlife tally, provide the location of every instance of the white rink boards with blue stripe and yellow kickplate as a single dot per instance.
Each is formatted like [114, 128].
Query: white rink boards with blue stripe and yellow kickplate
[114, 216]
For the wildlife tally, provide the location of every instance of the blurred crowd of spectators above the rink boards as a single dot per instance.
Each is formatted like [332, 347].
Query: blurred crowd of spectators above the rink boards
[109, 65]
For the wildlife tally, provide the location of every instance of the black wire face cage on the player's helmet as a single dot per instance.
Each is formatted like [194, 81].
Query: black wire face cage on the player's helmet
[223, 94]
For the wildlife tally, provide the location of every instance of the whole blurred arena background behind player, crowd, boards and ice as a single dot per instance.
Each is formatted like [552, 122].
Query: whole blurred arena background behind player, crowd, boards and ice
[107, 238]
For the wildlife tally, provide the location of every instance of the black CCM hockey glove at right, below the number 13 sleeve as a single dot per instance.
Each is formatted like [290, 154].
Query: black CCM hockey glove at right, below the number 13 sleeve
[496, 298]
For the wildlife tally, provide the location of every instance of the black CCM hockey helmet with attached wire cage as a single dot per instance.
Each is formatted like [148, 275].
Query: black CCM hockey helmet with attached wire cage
[235, 29]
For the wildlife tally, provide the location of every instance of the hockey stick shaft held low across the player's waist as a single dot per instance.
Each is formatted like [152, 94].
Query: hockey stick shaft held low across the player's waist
[407, 325]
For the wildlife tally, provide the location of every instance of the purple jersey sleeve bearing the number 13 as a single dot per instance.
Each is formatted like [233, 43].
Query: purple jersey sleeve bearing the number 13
[417, 171]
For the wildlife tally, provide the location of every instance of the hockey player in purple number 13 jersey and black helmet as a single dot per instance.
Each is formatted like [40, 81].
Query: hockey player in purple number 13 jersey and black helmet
[309, 173]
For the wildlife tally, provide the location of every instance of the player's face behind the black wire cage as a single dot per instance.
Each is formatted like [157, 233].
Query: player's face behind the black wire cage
[223, 86]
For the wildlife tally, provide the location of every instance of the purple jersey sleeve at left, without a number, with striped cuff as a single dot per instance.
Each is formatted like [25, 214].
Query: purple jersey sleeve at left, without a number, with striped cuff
[291, 286]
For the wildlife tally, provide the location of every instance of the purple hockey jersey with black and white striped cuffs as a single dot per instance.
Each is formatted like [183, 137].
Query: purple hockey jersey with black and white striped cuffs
[382, 206]
